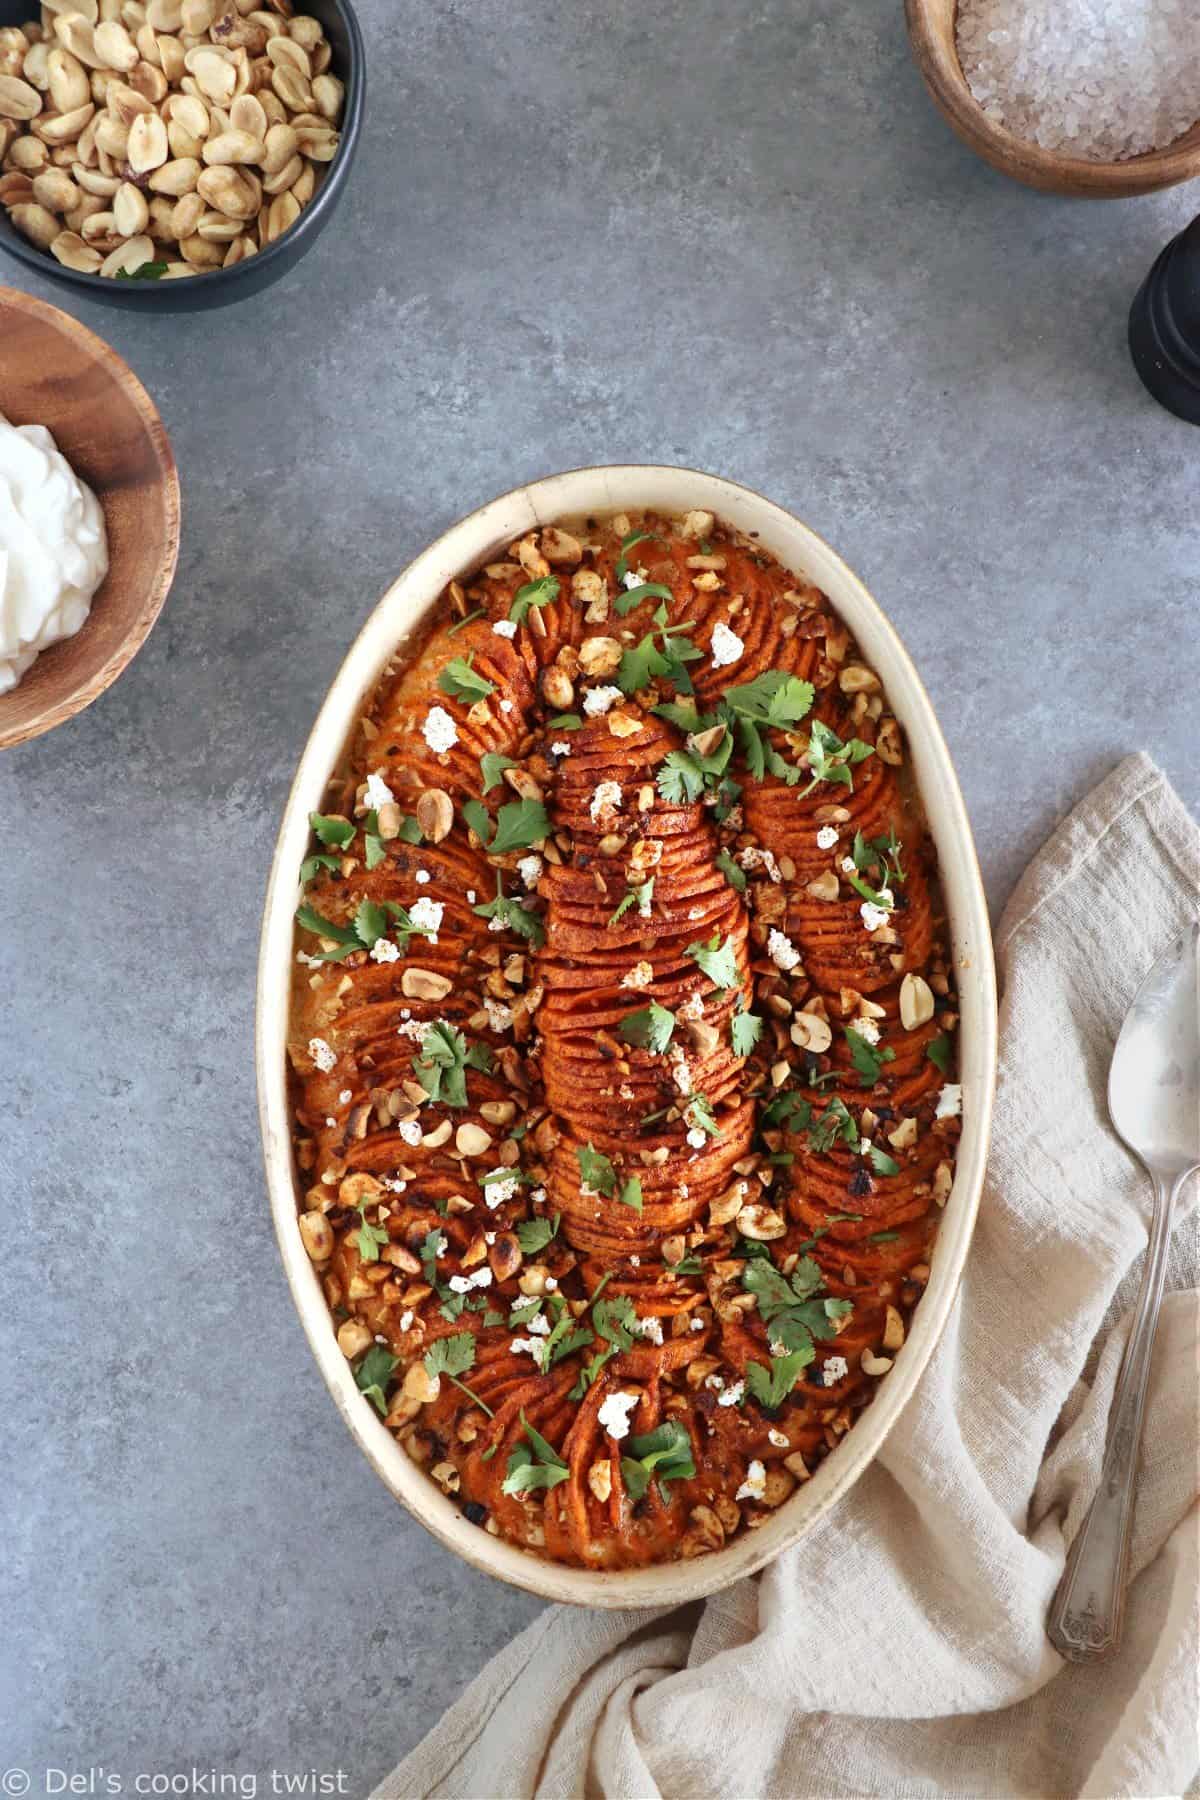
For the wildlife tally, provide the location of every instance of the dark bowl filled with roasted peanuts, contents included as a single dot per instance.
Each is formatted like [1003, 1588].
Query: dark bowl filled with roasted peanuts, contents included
[174, 154]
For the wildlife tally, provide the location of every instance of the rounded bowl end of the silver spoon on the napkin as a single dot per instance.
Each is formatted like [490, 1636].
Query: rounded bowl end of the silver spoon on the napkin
[1154, 1084]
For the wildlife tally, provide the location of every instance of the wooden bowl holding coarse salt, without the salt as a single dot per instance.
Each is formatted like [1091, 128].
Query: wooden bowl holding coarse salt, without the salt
[931, 35]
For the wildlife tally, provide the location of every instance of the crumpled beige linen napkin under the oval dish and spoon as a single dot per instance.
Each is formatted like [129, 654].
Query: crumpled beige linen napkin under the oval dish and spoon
[900, 1648]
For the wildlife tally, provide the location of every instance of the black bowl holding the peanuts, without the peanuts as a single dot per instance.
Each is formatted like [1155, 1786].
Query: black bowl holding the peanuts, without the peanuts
[224, 285]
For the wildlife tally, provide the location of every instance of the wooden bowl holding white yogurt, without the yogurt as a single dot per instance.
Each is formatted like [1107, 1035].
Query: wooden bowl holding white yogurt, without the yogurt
[57, 373]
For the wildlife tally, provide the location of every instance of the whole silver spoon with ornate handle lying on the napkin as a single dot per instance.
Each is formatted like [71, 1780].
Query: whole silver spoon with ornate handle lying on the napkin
[1154, 1102]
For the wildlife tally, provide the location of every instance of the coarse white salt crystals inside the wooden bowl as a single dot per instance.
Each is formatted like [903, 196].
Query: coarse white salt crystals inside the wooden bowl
[1100, 80]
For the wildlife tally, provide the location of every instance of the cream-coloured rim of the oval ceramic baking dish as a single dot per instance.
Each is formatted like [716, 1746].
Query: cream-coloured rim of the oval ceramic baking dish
[461, 550]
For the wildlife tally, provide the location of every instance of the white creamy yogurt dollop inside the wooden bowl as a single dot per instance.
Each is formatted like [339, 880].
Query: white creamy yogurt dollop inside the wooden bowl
[53, 548]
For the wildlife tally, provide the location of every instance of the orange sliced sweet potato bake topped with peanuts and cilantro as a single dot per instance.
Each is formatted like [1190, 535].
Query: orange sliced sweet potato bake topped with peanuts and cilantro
[623, 1041]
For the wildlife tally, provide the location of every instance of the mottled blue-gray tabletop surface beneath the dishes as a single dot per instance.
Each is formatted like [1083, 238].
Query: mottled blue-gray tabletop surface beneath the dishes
[733, 237]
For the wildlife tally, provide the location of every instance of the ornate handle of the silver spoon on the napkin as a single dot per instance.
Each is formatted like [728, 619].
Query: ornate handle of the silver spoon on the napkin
[1089, 1606]
